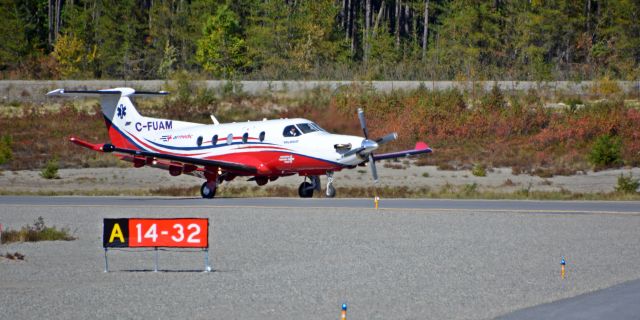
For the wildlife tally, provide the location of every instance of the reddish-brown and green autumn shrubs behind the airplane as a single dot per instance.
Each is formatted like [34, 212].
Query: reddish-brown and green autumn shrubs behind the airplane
[492, 129]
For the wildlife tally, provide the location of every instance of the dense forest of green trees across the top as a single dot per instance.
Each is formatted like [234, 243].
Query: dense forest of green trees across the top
[321, 39]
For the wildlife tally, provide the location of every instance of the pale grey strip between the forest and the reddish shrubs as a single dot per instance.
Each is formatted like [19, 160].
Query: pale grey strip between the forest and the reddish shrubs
[34, 91]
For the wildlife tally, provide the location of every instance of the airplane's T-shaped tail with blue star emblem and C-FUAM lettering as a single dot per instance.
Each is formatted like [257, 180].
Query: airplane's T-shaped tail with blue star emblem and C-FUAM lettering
[127, 128]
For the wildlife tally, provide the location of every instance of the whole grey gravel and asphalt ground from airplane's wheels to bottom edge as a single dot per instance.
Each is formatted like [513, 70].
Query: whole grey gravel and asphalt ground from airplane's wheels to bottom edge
[286, 258]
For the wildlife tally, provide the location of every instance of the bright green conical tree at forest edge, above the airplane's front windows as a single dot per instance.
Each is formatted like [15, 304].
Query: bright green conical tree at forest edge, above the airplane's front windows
[222, 50]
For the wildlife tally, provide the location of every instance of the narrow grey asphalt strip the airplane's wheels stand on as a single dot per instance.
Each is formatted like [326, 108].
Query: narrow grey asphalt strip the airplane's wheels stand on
[511, 206]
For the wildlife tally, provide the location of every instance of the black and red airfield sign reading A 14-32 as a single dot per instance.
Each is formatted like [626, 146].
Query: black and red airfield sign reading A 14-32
[146, 232]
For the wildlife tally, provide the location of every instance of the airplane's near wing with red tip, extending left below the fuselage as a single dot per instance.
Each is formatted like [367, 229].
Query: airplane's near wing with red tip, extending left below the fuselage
[202, 162]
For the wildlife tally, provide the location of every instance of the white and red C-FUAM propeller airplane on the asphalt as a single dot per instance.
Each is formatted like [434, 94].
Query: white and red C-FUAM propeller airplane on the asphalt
[262, 150]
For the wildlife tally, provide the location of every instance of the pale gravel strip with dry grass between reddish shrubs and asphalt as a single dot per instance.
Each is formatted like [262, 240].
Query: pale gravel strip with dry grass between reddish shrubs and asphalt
[126, 181]
